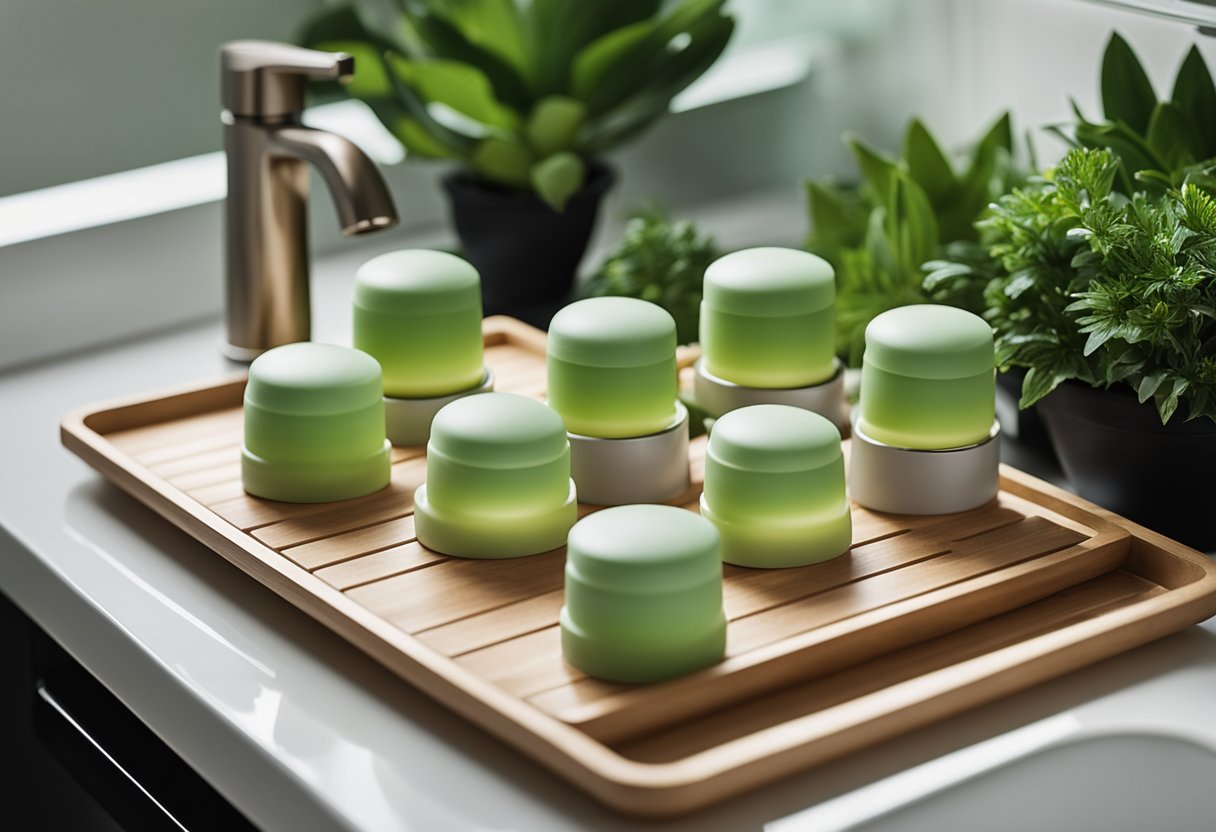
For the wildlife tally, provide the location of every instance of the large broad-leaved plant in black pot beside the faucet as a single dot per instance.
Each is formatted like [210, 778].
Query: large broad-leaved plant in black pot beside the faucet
[527, 98]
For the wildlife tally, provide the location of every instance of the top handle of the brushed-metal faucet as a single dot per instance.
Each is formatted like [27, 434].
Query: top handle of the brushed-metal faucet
[267, 80]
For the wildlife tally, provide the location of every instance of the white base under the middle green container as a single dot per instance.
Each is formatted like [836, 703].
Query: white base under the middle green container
[617, 473]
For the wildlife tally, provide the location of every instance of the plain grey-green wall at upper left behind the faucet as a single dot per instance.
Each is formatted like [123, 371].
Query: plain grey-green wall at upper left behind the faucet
[97, 87]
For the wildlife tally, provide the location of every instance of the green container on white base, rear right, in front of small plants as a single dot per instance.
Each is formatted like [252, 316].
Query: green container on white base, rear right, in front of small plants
[768, 319]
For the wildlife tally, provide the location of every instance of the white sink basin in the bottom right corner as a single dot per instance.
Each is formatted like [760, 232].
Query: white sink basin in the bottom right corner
[1045, 778]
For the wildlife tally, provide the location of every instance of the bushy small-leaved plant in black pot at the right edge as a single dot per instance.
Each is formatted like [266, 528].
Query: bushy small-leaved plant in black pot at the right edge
[1111, 302]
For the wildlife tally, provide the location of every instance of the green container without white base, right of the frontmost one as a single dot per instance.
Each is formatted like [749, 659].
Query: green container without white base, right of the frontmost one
[775, 487]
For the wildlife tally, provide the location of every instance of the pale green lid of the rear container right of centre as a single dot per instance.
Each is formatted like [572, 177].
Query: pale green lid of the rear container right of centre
[770, 283]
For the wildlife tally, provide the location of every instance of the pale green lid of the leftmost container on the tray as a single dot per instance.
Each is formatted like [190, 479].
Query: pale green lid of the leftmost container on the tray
[309, 379]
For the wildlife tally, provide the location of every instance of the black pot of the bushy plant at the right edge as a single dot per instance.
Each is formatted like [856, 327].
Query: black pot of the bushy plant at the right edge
[1118, 454]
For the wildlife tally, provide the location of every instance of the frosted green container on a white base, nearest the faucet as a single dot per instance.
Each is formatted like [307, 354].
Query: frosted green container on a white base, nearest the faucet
[419, 313]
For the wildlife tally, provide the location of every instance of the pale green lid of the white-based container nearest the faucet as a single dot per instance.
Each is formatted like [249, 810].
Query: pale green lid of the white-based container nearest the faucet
[418, 283]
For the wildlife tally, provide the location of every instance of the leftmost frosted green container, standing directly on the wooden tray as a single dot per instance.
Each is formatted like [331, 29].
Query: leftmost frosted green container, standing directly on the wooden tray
[314, 425]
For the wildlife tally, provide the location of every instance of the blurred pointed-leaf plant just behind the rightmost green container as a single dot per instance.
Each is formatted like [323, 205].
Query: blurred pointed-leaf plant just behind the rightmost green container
[908, 211]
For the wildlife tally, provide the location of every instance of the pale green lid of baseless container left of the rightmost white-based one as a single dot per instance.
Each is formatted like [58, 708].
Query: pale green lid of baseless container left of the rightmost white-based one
[774, 440]
